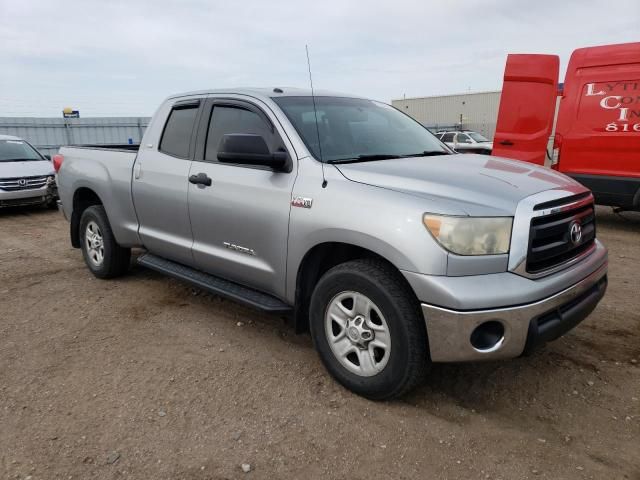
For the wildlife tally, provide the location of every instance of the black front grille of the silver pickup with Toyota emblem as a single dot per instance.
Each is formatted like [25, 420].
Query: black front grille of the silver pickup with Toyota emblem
[550, 238]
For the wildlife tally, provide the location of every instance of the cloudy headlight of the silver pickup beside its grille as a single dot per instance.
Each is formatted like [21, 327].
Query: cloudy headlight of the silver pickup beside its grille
[470, 235]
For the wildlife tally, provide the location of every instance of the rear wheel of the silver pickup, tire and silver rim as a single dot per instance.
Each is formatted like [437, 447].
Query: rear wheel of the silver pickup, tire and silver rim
[102, 254]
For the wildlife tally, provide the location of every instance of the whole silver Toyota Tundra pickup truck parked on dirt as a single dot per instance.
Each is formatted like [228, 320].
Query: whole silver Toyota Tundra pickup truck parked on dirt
[349, 216]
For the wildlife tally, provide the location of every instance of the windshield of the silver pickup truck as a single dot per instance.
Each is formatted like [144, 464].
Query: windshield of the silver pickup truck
[357, 129]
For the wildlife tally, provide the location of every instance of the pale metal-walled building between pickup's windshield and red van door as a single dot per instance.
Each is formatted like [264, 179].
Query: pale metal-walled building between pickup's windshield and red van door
[479, 111]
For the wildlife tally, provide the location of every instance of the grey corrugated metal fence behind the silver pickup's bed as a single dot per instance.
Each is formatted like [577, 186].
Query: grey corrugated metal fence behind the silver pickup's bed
[49, 134]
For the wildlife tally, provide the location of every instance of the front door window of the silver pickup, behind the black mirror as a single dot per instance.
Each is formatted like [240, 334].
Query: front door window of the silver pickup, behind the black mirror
[227, 119]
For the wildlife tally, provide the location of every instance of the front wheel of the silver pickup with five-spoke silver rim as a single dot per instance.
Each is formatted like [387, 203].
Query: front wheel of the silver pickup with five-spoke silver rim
[384, 365]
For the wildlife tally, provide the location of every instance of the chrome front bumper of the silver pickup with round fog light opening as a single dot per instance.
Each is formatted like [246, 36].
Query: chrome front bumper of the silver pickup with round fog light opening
[525, 326]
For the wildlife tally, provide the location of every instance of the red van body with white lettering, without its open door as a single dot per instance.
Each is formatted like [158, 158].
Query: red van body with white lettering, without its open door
[598, 129]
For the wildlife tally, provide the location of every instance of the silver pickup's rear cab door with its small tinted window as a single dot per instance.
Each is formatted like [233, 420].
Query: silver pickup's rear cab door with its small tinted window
[160, 181]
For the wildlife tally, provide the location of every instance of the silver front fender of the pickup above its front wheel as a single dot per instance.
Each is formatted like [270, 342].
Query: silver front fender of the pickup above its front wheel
[383, 221]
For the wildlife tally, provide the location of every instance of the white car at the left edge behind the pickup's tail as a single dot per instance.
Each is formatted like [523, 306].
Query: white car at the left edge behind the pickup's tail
[26, 176]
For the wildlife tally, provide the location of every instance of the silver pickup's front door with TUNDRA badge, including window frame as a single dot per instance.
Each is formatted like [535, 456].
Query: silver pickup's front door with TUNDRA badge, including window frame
[240, 222]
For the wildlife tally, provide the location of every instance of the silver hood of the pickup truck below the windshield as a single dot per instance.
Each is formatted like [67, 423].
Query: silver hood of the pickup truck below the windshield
[465, 184]
